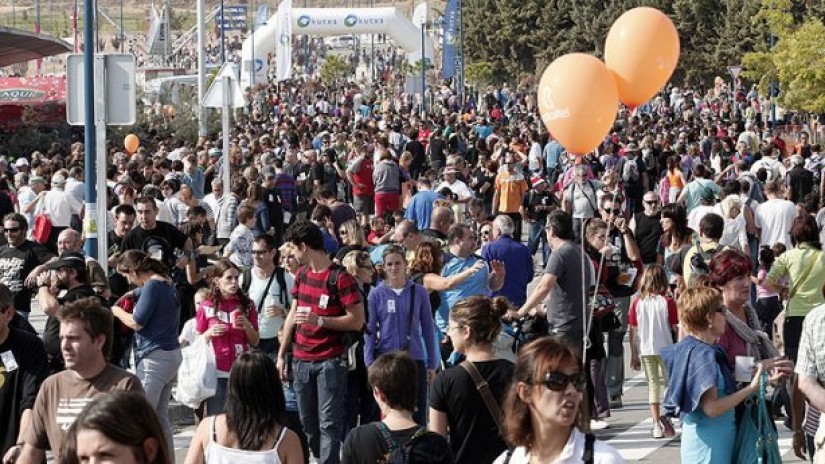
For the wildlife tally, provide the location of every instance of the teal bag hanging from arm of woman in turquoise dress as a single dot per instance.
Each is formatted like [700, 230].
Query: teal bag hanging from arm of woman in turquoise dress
[756, 436]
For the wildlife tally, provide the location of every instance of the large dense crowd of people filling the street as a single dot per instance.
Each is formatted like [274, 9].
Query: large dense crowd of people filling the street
[448, 284]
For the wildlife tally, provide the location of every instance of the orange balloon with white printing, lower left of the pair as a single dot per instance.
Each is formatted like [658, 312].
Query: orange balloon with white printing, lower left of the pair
[578, 101]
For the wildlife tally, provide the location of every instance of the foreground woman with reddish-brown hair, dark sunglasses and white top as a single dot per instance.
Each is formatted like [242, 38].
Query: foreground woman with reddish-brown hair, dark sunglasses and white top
[545, 415]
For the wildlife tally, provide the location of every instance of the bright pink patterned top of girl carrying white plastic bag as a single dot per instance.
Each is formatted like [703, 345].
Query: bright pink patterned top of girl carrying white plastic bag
[233, 342]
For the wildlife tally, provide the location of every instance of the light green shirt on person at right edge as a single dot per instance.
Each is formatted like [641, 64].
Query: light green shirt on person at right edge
[804, 295]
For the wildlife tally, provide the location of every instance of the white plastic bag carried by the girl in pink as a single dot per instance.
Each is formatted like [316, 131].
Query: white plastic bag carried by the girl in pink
[197, 374]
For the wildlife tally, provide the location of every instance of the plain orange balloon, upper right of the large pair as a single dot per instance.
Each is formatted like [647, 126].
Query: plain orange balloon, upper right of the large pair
[641, 51]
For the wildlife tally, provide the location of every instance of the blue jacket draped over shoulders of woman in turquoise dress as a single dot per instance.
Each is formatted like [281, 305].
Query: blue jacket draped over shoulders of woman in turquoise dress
[692, 365]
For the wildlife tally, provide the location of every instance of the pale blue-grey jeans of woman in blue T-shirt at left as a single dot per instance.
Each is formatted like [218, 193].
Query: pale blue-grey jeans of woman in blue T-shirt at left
[157, 372]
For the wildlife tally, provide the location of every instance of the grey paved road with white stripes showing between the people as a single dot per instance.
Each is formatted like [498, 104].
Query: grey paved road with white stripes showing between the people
[629, 431]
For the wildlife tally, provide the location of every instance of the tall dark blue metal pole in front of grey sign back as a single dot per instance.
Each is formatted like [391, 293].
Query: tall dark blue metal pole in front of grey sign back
[89, 152]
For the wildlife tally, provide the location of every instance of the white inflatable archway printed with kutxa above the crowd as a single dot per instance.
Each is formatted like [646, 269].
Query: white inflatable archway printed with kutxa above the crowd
[332, 21]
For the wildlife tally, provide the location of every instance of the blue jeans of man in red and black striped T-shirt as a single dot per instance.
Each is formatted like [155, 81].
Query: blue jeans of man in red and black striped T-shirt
[321, 388]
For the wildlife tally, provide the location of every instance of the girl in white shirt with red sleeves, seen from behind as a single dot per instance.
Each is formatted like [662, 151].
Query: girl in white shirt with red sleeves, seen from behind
[652, 320]
